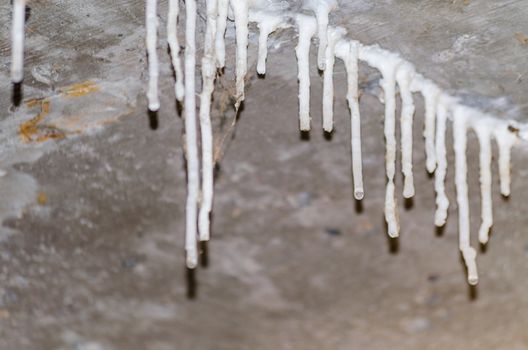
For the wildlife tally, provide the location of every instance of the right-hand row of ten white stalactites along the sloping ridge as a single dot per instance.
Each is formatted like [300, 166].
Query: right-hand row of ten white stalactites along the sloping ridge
[439, 106]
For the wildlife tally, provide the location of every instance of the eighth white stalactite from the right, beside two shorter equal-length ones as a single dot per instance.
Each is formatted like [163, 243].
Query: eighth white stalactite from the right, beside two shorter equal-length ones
[348, 51]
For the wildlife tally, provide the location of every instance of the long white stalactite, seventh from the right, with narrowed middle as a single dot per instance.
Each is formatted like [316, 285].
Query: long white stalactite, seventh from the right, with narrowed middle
[387, 63]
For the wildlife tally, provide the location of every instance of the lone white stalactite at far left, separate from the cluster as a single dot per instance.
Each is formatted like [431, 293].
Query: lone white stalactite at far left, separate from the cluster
[17, 38]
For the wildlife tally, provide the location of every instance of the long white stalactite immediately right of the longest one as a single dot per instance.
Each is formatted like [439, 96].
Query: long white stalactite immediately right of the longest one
[208, 78]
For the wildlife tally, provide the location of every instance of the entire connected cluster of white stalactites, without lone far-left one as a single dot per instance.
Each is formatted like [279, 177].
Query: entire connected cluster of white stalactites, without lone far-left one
[397, 73]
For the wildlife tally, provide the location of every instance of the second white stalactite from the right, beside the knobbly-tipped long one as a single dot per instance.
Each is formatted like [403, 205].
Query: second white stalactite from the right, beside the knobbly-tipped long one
[483, 131]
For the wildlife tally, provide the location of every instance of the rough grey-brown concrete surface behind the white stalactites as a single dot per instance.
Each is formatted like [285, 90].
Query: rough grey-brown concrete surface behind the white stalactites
[93, 193]
